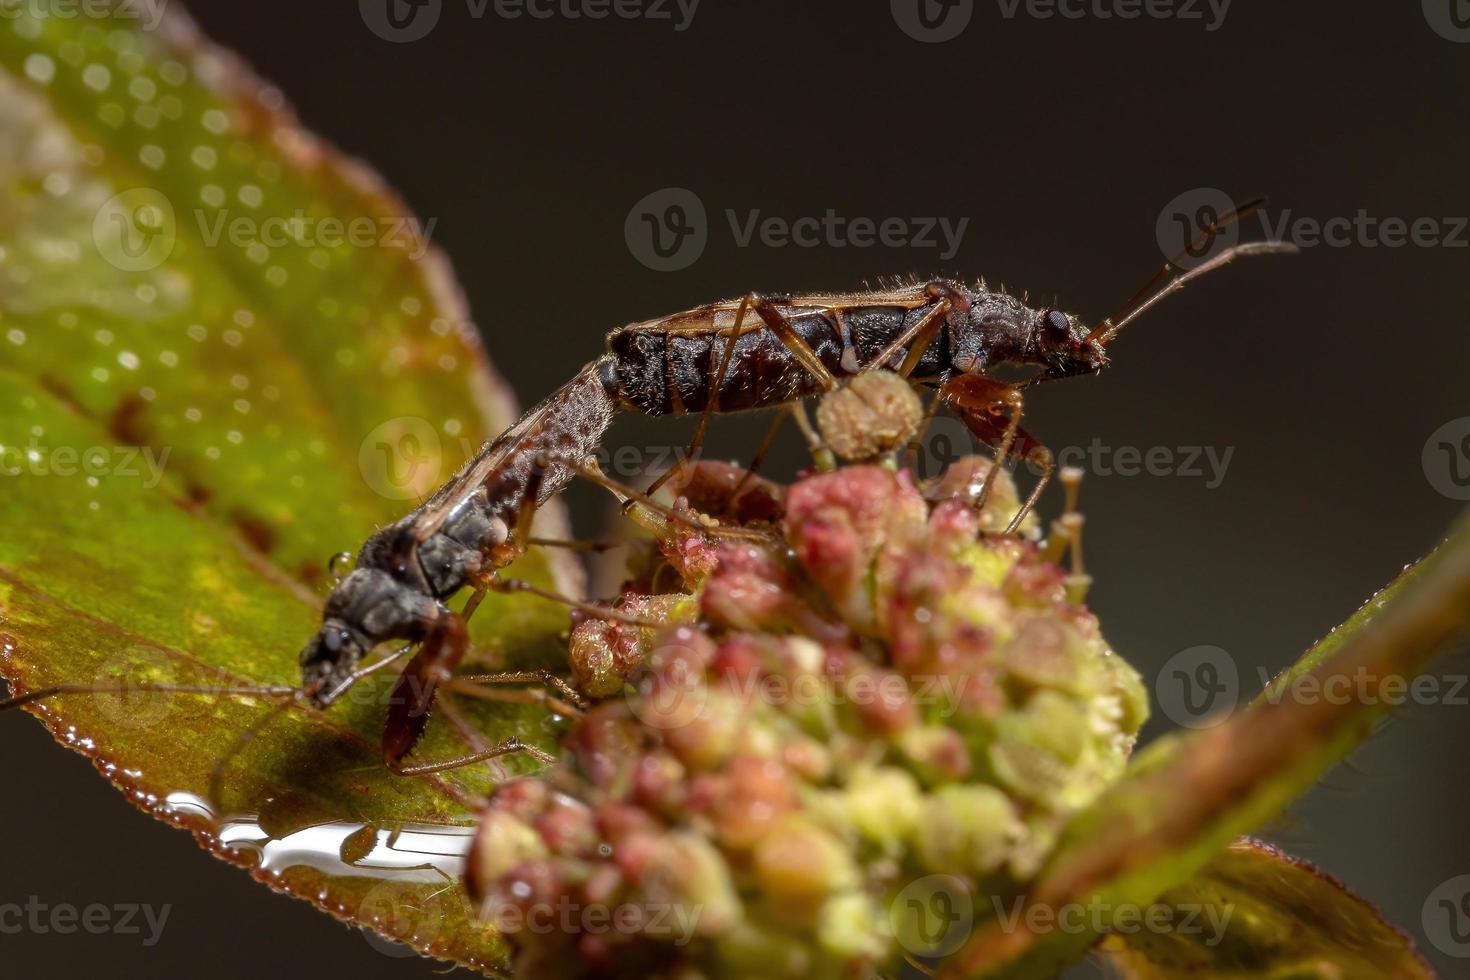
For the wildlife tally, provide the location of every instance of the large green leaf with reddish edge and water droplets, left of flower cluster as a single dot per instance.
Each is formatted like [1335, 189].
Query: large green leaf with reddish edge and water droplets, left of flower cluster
[223, 361]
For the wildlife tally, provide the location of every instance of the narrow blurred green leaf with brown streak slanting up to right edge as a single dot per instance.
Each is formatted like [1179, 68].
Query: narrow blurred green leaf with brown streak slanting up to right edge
[1187, 799]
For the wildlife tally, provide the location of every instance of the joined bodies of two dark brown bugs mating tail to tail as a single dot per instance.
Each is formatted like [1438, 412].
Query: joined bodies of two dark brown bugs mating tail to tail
[667, 367]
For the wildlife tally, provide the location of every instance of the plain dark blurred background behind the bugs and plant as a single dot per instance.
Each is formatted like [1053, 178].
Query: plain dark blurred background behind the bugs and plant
[1071, 148]
